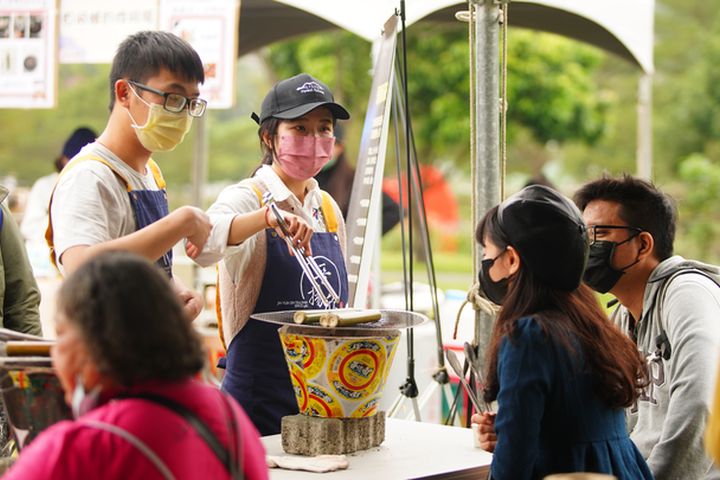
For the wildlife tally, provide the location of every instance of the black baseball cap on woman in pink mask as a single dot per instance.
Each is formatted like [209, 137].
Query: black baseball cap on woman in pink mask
[295, 96]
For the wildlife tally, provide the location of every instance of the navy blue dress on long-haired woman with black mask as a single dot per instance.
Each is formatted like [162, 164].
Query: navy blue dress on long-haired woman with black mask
[550, 420]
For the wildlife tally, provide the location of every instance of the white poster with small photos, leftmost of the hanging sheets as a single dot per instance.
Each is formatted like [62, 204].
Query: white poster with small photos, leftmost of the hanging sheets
[28, 53]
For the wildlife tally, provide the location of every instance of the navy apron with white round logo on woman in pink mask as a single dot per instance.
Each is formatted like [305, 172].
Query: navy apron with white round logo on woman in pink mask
[256, 374]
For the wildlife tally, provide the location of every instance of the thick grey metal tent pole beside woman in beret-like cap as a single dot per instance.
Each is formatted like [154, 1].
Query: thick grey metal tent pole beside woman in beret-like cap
[486, 171]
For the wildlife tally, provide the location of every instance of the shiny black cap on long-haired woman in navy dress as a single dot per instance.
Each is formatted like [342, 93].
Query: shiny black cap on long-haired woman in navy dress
[549, 233]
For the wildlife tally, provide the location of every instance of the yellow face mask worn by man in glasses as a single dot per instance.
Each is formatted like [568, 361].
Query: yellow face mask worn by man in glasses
[163, 130]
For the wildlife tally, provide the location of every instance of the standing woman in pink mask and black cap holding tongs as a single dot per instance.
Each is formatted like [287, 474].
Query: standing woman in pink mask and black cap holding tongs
[257, 273]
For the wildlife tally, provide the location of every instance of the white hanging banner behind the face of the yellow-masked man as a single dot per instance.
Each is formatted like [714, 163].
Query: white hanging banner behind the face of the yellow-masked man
[211, 27]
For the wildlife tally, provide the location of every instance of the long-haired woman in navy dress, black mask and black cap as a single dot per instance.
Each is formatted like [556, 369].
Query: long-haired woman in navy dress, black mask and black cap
[559, 371]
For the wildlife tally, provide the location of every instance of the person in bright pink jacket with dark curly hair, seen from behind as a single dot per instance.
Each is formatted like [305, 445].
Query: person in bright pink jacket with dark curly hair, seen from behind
[127, 359]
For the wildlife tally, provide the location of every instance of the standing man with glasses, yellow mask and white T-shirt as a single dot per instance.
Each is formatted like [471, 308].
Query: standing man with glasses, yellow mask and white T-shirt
[111, 195]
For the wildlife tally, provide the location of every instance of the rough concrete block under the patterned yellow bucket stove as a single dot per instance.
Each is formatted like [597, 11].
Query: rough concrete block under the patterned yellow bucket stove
[306, 435]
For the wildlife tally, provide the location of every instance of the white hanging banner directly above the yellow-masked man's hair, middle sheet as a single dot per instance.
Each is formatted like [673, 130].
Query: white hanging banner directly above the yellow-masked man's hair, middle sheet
[91, 30]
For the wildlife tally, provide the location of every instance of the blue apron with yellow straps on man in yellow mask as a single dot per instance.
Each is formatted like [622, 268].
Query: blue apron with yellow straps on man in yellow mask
[148, 206]
